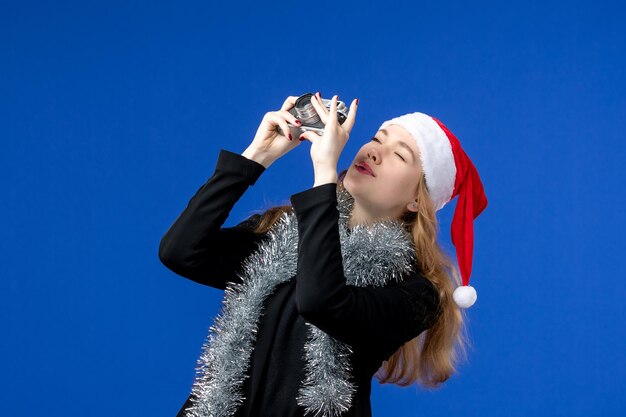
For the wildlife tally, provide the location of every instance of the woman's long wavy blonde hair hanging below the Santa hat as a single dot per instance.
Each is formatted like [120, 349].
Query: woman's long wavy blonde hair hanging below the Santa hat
[432, 357]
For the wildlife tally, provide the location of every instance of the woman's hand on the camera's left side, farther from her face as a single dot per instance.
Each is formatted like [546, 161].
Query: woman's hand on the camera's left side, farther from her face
[269, 144]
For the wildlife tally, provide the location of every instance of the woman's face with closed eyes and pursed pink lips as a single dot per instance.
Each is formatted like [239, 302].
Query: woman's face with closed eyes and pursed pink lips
[394, 160]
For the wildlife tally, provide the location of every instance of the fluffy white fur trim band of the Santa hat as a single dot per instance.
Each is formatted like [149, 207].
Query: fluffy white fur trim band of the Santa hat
[435, 154]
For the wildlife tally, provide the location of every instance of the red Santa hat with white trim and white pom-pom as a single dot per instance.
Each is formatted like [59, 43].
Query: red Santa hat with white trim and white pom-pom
[449, 172]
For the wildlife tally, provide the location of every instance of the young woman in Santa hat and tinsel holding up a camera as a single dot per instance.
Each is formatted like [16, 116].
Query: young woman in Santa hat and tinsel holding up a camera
[346, 283]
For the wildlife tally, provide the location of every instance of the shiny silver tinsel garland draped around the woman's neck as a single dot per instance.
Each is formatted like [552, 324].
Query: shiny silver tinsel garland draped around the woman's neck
[372, 256]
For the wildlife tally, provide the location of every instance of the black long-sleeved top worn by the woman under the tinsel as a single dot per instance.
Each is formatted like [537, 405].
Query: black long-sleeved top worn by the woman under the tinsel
[374, 321]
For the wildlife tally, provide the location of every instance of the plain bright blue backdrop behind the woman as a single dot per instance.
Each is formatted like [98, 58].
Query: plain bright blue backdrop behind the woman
[112, 116]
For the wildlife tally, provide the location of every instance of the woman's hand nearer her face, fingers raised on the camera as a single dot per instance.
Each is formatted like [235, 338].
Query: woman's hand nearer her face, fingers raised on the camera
[325, 149]
